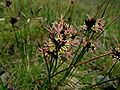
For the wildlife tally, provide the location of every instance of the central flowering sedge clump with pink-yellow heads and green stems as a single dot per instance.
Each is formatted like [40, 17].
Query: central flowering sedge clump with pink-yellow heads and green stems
[53, 51]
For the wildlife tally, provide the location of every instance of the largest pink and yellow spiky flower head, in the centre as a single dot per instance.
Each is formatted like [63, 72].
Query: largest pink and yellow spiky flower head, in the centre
[62, 37]
